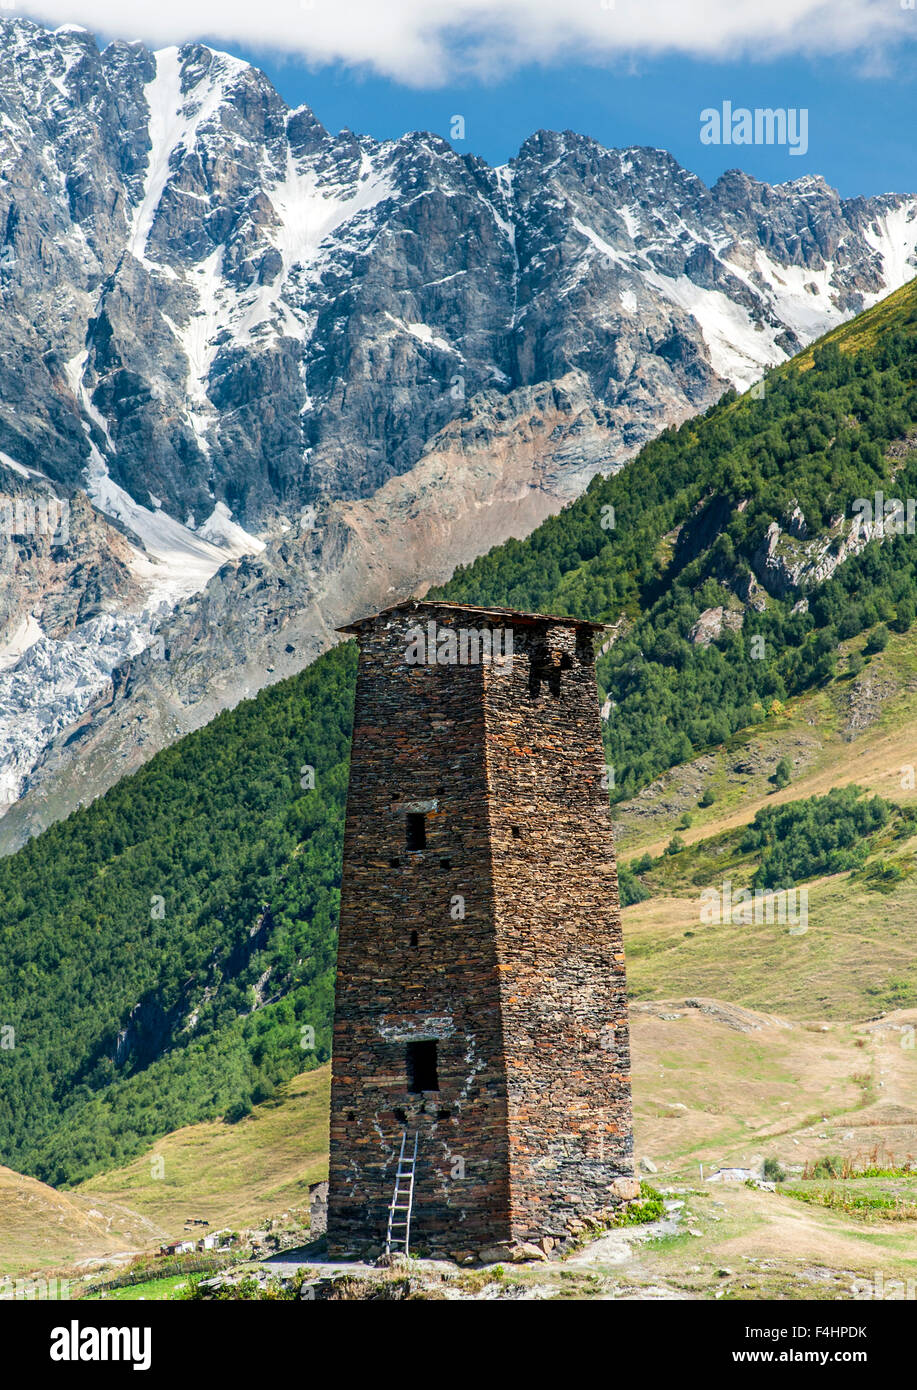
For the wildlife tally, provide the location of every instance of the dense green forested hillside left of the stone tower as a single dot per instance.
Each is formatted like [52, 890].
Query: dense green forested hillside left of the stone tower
[209, 872]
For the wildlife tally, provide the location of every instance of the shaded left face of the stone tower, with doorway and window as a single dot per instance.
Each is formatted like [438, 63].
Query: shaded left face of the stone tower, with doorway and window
[419, 739]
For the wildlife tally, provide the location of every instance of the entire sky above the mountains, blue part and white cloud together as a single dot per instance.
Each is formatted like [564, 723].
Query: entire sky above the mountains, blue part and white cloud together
[623, 72]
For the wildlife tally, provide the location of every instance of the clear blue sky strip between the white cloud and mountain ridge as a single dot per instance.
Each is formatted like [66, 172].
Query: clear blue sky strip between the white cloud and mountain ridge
[862, 129]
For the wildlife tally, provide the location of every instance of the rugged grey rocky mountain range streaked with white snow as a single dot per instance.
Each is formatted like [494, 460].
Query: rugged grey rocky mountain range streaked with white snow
[215, 315]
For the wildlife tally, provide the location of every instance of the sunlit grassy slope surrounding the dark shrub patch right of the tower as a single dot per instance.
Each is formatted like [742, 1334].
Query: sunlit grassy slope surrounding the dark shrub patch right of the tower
[858, 956]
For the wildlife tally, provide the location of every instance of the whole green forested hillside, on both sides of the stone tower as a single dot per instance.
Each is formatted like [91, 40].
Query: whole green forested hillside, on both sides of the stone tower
[163, 950]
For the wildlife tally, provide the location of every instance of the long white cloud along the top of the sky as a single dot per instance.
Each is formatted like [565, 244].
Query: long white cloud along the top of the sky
[427, 42]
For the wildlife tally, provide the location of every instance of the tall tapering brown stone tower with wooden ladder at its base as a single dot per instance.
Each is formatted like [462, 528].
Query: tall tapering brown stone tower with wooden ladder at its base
[480, 999]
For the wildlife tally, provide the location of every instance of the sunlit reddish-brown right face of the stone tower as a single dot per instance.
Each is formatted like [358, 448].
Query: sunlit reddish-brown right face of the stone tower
[559, 936]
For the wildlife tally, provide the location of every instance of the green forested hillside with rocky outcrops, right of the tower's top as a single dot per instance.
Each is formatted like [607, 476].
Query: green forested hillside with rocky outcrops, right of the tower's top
[690, 515]
